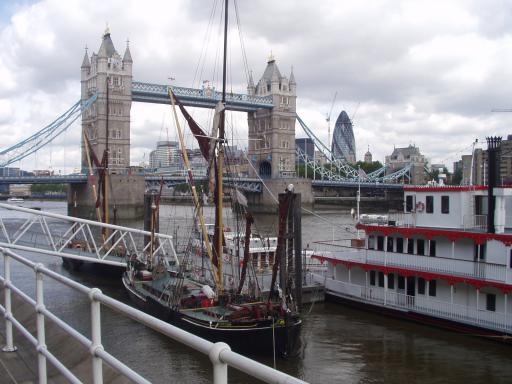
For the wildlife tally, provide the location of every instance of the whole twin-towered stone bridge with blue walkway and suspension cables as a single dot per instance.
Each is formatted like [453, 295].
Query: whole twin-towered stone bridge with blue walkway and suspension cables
[107, 92]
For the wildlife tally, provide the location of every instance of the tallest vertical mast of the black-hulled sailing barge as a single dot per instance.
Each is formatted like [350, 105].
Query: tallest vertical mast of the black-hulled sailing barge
[220, 158]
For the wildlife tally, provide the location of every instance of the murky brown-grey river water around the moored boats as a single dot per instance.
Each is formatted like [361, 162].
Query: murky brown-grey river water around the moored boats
[341, 345]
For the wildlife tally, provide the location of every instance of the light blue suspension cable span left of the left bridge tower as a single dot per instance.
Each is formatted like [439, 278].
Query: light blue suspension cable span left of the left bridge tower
[46, 135]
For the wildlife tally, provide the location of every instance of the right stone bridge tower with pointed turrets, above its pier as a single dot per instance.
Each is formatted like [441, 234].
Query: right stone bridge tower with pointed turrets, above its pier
[272, 132]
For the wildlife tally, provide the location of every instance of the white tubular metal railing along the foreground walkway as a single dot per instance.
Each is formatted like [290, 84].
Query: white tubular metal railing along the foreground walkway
[220, 354]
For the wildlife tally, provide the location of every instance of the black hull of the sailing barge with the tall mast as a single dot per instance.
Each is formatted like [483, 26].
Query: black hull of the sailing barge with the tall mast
[247, 340]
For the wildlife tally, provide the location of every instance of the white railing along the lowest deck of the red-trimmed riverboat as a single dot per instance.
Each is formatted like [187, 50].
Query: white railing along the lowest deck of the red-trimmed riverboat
[497, 321]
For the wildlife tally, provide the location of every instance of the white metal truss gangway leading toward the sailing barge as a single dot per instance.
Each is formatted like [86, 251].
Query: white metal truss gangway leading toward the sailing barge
[77, 239]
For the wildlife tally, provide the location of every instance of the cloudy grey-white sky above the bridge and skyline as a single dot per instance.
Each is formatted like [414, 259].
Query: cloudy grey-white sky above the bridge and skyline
[426, 73]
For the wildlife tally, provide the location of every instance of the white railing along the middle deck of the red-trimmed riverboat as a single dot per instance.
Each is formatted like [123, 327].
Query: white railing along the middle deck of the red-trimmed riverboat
[453, 267]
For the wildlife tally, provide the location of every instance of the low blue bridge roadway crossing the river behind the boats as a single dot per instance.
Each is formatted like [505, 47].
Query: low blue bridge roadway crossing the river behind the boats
[153, 182]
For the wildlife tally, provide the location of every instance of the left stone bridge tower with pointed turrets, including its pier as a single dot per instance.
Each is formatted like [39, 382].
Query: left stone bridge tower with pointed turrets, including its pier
[107, 126]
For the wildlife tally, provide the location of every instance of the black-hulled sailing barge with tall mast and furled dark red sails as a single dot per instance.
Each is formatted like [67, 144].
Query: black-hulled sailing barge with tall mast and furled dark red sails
[249, 323]
